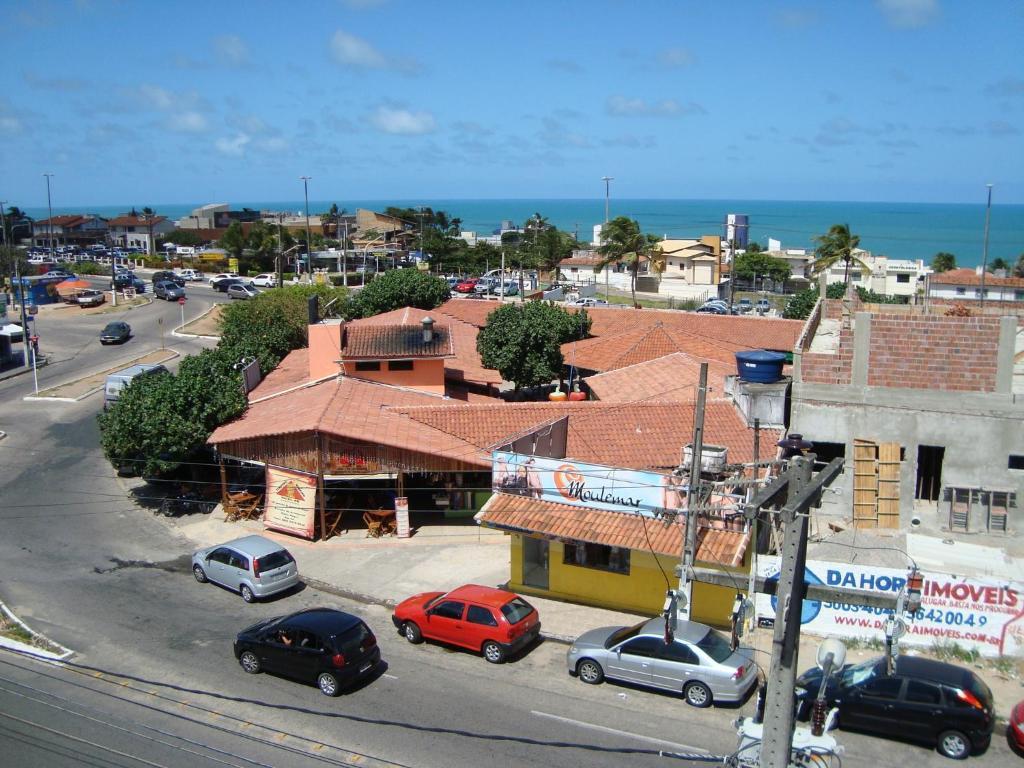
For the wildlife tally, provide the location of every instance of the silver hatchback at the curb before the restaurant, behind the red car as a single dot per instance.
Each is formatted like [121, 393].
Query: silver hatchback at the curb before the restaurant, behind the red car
[253, 567]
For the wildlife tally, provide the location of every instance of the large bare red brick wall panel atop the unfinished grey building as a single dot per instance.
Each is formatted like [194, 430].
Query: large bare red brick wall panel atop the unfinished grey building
[933, 353]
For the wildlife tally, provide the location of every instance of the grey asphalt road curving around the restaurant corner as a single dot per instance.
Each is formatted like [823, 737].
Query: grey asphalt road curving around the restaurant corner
[154, 681]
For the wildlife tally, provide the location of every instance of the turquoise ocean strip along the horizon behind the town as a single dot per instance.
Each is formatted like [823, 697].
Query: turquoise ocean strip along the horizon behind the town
[904, 231]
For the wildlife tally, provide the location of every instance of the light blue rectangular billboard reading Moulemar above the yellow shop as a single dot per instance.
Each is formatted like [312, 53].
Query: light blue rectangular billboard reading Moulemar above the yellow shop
[591, 486]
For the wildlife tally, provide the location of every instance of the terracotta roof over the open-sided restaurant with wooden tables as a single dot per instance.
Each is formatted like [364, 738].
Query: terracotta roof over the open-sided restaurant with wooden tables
[351, 409]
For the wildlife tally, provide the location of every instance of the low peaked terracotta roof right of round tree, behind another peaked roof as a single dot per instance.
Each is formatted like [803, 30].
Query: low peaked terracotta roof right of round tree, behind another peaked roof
[643, 345]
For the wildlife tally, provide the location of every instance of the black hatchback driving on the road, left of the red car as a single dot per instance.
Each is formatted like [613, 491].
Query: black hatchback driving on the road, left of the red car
[324, 647]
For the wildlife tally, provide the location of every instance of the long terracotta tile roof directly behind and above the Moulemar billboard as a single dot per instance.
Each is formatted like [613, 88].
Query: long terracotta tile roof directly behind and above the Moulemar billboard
[638, 436]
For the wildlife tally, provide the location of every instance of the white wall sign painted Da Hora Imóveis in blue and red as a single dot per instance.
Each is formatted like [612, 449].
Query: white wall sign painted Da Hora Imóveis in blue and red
[976, 613]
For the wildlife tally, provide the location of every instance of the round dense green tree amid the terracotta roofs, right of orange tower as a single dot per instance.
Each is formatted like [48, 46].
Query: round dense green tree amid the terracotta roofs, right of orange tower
[523, 342]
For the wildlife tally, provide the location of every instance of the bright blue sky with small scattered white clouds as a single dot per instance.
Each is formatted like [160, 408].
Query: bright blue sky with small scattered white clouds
[864, 100]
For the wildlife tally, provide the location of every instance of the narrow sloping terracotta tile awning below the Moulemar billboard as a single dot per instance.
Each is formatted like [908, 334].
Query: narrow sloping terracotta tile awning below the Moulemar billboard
[519, 514]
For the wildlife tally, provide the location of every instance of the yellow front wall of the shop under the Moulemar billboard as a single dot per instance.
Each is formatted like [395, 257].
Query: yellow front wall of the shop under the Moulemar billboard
[641, 592]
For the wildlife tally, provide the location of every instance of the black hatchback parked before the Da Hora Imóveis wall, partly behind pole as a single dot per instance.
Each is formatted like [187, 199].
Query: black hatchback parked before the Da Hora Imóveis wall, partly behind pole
[924, 701]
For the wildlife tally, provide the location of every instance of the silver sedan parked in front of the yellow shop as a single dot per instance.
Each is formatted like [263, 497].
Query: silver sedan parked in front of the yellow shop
[698, 663]
